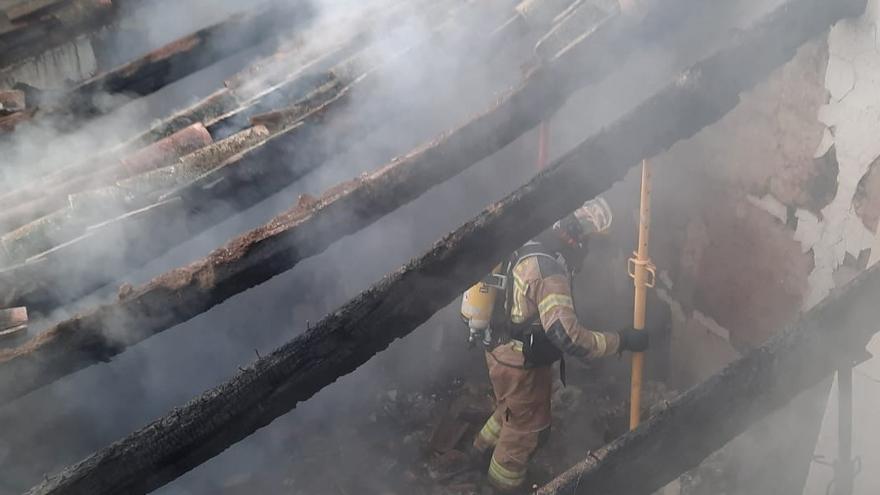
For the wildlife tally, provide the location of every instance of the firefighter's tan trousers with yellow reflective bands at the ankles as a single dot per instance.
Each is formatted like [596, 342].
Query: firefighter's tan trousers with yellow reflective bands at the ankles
[521, 420]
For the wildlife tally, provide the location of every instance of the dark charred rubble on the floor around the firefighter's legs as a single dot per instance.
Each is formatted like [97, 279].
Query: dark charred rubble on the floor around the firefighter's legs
[411, 441]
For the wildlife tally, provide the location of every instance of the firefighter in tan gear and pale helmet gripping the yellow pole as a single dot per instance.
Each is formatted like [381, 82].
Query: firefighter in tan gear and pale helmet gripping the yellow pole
[536, 326]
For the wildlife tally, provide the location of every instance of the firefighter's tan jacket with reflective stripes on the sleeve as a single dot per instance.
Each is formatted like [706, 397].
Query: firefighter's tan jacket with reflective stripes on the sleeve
[542, 289]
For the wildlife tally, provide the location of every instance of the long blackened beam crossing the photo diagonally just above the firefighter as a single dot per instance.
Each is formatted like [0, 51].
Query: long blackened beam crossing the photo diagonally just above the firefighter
[396, 305]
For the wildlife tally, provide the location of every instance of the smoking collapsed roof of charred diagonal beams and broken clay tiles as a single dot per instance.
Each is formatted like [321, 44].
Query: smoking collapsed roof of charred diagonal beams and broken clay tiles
[264, 129]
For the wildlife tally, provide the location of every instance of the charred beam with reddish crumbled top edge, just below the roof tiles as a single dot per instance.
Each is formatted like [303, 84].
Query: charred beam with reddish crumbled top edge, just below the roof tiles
[280, 244]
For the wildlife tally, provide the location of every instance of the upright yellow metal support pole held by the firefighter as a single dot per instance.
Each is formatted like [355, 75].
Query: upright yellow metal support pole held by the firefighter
[642, 271]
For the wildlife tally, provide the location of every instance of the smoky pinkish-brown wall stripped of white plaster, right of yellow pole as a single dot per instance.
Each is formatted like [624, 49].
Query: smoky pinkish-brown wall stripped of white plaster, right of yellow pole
[726, 220]
